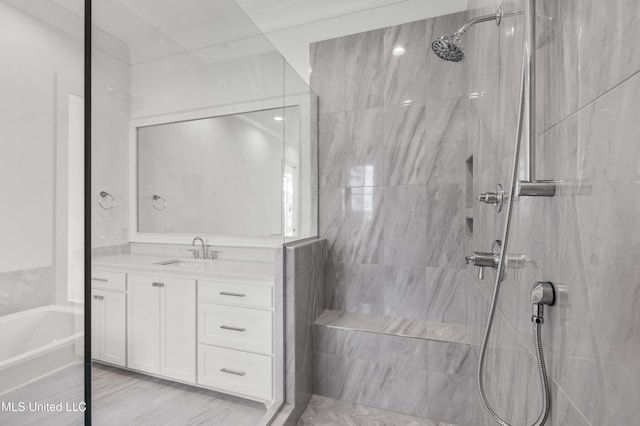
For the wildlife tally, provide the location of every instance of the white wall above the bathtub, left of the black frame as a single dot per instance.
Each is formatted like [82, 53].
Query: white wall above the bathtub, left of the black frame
[41, 65]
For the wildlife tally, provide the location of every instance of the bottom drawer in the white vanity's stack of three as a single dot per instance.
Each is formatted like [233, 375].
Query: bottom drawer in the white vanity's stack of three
[238, 372]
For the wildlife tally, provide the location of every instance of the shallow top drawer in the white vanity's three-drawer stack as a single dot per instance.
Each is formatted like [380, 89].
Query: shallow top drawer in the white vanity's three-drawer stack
[235, 293]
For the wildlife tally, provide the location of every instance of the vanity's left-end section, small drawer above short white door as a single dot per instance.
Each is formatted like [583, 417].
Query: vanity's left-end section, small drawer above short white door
[108, 317]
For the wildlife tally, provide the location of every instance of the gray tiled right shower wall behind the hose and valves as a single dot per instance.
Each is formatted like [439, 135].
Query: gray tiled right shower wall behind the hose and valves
[588, 245]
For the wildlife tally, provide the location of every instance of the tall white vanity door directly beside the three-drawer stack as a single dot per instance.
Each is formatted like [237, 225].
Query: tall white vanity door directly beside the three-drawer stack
[178, 332]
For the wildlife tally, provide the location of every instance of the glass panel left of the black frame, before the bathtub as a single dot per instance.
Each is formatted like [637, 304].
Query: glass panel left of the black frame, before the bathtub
[41, 171]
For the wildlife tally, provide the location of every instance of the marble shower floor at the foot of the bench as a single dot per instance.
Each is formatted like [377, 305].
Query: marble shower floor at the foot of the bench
[323, 411]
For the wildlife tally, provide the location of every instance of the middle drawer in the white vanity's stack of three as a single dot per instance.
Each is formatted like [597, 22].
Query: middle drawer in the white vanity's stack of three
[236, 328]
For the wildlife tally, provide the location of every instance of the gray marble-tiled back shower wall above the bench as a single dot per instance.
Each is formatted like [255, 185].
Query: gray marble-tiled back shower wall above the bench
[391, 171]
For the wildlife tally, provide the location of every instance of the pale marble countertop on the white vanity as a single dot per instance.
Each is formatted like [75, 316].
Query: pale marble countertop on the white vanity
[175, 266]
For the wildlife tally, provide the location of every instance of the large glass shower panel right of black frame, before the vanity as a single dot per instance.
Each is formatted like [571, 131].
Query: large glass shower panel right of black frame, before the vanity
[188, 141]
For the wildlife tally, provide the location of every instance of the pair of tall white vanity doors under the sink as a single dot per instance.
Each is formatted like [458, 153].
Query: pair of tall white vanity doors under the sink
[161, 326]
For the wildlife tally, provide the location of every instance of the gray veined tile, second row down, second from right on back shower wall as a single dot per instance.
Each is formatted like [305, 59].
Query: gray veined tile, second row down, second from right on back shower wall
[404, 144]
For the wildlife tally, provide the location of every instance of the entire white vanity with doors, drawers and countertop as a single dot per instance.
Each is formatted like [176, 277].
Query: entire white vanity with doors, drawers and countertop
[208, 328]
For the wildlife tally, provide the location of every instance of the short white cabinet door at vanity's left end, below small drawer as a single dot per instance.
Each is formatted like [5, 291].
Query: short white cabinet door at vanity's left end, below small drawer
[114, 315]
